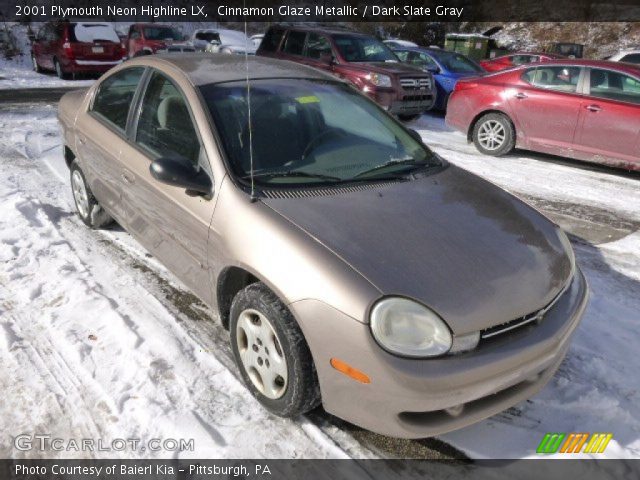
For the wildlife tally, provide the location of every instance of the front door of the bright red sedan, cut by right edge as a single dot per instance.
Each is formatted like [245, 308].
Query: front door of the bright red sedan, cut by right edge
[610, 117]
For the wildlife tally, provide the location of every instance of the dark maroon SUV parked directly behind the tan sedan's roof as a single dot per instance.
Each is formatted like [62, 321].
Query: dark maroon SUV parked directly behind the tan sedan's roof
[364, 61]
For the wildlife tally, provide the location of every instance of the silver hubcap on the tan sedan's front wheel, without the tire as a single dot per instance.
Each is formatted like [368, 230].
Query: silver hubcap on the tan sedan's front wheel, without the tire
[261, 354]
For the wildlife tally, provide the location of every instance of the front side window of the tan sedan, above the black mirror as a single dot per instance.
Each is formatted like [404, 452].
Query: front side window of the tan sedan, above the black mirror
[165, 127]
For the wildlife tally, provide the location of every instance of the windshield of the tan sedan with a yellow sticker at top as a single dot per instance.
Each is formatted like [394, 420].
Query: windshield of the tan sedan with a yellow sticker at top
[308, 132]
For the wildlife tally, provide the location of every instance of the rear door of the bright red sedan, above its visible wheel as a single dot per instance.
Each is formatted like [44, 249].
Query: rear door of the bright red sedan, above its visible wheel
[546, 104]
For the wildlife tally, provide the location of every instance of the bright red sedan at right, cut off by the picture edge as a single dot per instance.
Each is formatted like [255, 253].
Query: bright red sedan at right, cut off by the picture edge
[586, 110]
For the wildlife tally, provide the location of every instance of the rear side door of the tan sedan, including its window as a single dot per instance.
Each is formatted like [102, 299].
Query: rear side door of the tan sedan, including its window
[101, 134]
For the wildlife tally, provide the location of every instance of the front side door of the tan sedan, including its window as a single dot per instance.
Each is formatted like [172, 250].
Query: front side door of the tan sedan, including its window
[171, 223]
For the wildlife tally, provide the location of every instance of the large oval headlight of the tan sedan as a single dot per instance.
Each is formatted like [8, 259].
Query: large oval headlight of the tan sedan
[405, 327]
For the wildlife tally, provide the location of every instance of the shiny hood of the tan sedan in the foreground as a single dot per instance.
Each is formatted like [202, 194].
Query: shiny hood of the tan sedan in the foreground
[469, 250]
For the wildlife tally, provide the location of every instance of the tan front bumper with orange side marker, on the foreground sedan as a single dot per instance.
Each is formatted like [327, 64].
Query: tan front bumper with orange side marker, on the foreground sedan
[412, 398]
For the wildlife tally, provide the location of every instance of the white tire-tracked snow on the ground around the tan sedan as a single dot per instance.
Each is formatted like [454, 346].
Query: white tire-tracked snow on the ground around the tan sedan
[99, 340]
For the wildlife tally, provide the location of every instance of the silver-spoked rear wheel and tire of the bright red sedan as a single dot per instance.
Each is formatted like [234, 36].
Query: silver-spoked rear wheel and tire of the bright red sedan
[493, 134]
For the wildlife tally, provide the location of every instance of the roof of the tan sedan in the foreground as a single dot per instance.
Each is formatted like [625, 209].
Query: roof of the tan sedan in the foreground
[207, 68]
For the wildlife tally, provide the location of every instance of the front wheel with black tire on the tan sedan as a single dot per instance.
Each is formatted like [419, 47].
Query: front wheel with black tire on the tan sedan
[251, 338]
